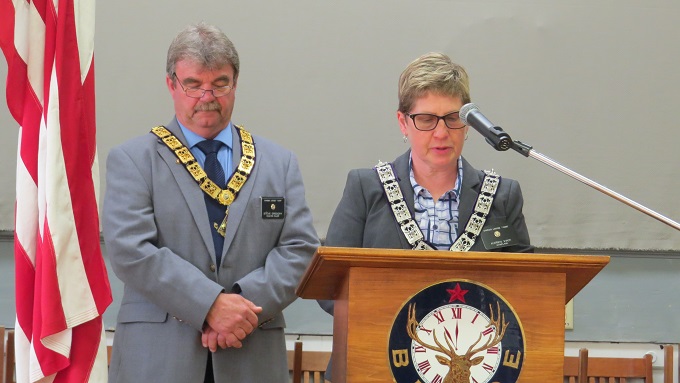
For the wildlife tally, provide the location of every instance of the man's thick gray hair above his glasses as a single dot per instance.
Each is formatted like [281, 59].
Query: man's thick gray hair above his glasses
[204, 44]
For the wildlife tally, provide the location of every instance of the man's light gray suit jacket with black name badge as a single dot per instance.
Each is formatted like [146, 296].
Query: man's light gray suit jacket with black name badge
[158, 239]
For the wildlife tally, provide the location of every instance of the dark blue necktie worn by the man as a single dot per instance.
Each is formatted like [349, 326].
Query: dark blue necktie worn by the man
[216, 211]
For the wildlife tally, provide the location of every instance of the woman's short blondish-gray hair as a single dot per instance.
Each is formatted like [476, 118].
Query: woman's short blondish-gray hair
[432, 72]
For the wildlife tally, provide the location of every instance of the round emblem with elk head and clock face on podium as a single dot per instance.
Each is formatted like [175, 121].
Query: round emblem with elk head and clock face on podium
[456, 331]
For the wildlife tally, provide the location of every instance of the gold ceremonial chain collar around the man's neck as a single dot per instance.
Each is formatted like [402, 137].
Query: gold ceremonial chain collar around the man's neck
[236, 181]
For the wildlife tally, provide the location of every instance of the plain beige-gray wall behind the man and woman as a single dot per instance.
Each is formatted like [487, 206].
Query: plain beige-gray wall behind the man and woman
[591, 84]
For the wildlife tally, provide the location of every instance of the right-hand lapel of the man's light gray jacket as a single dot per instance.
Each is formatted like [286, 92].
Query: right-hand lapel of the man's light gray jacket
[238, 207]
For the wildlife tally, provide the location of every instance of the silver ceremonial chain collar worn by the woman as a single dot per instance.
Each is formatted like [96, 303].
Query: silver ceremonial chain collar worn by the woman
[412, 232]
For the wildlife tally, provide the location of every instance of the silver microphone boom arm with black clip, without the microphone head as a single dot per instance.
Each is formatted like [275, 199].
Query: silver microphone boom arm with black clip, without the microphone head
[528, 151]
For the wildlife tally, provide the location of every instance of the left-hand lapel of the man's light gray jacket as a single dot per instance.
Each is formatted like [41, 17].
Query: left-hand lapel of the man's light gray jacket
[193, 195]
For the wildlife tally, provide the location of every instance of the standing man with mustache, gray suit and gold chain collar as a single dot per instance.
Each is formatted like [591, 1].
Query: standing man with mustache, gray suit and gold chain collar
[210, 243]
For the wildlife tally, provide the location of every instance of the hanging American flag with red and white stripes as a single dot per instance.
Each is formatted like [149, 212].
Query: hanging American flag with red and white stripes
[62, 287]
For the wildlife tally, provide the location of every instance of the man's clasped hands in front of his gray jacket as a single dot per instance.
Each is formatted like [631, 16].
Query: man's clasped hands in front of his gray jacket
[230, 319]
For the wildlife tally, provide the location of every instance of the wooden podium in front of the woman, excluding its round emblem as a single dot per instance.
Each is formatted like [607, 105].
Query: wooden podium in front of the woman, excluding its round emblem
[370, 286]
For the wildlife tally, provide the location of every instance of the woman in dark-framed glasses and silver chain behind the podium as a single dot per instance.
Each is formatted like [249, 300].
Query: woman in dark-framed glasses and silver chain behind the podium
[428, 197]
